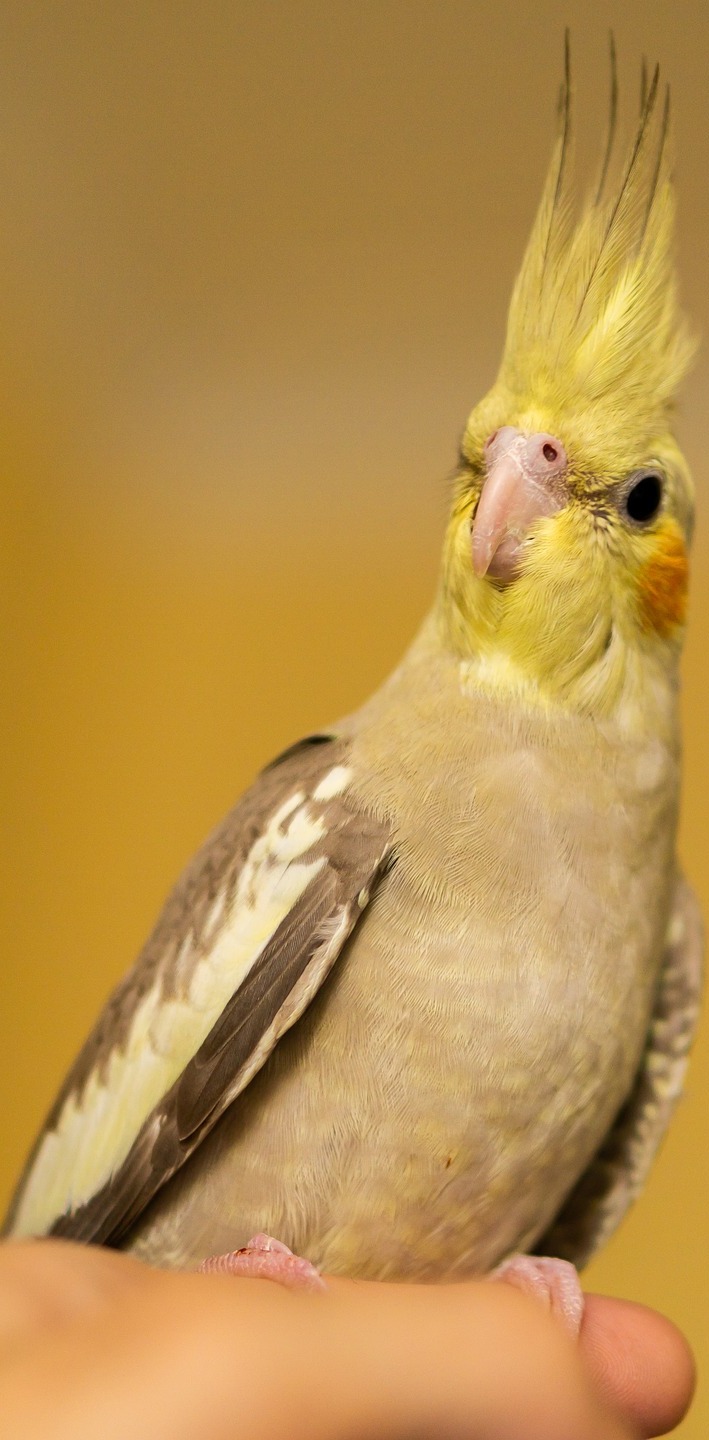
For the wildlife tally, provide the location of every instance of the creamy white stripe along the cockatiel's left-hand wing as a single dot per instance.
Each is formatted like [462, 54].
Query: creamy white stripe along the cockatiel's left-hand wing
[94, 1135]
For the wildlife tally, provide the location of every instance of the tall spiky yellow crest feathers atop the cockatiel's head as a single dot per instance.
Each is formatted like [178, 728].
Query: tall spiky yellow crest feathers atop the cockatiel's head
[594, 313]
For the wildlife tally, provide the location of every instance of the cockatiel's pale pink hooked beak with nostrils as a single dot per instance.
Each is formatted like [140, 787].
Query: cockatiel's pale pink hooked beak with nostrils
[525, 482]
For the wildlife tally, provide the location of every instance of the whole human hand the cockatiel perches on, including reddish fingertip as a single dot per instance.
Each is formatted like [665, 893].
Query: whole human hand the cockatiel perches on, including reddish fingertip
[97, 1344]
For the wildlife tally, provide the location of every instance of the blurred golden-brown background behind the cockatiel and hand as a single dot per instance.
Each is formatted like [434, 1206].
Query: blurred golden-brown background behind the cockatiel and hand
[256, 264]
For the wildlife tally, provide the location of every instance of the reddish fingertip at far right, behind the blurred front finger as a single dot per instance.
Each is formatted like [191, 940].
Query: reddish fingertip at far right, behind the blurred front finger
[641, 1363]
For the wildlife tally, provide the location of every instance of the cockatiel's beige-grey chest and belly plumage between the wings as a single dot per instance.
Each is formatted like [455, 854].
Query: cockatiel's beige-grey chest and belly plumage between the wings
[482, 1027]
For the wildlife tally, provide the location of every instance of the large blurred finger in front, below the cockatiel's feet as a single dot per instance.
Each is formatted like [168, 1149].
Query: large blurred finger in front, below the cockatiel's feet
[202, 1359]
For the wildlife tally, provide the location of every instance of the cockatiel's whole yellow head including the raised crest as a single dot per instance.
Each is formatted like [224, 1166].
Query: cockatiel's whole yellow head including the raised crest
[566, 561]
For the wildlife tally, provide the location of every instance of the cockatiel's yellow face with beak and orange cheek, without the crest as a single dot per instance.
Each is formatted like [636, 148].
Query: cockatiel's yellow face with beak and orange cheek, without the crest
[566, 567]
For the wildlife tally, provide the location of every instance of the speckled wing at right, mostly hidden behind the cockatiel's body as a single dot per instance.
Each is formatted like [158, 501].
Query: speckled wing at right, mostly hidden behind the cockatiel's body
[619, 1171]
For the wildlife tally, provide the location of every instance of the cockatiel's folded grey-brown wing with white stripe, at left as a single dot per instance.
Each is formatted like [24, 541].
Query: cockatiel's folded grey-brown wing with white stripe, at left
[243, 945]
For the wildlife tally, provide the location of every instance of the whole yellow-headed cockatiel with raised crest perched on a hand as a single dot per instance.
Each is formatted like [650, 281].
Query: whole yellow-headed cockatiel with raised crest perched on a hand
[424, 999]
